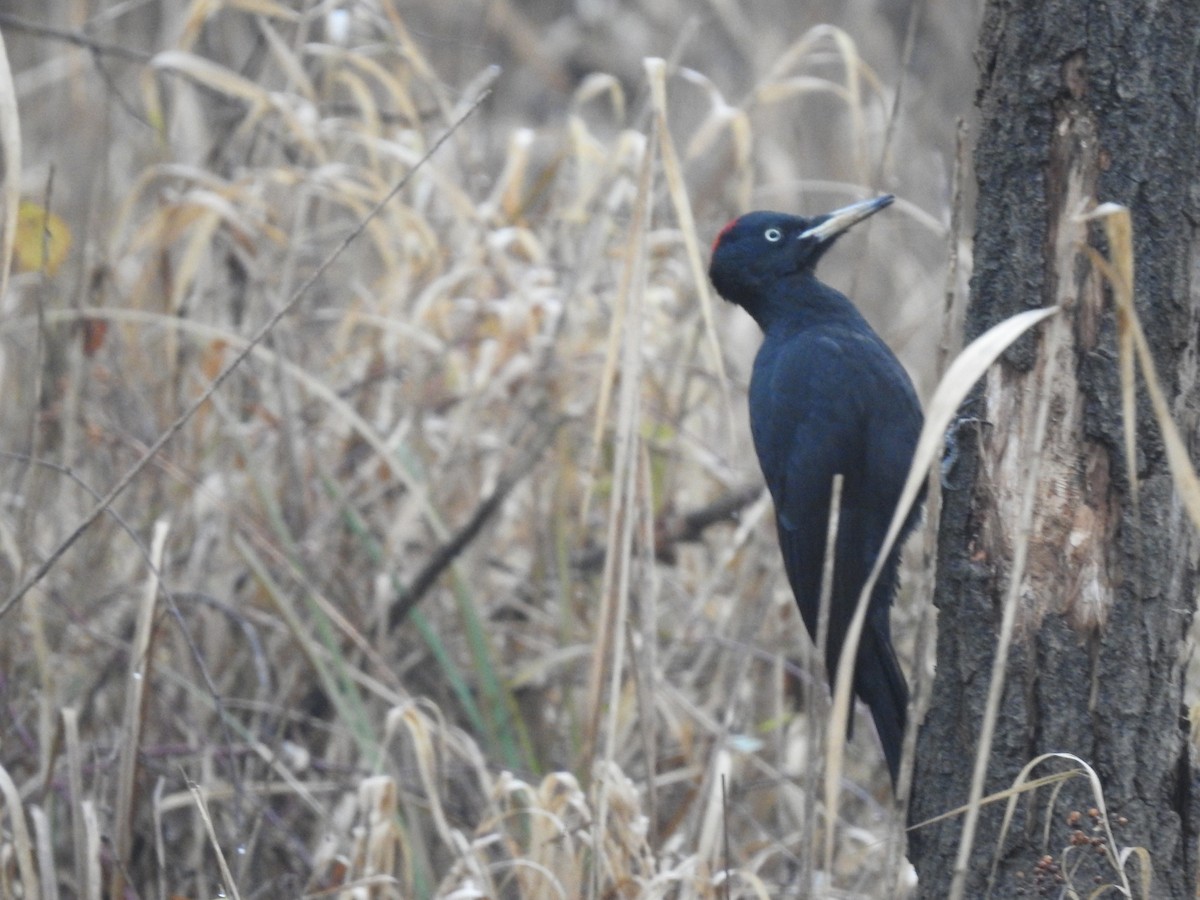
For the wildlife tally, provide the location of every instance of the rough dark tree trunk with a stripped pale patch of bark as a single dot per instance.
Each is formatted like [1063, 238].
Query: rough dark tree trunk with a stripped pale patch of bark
[1079, 100]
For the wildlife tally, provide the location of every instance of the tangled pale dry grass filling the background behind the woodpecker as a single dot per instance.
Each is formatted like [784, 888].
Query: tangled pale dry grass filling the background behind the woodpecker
[403, 609]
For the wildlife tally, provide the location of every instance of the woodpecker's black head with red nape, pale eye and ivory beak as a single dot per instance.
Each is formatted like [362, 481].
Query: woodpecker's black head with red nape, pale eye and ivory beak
[759, 249]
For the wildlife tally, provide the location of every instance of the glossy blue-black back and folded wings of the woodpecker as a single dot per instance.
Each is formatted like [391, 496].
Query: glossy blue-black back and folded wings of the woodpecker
[825, 404]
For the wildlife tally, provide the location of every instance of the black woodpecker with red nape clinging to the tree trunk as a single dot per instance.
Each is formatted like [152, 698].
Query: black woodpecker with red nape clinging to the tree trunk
[827, 397]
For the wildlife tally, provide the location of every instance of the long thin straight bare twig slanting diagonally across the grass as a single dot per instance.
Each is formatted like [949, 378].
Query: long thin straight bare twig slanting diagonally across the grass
[268, 327]
